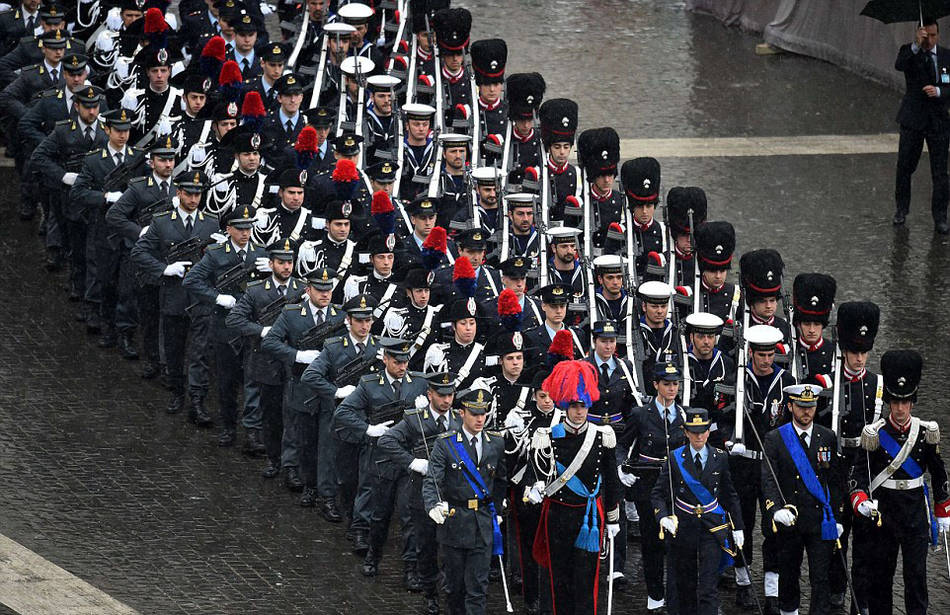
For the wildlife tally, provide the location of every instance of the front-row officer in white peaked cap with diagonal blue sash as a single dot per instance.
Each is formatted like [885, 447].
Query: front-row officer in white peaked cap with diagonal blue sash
[803, 484]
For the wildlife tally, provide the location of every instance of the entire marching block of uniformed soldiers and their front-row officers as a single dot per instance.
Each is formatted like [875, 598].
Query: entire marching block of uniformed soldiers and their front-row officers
[421, 295]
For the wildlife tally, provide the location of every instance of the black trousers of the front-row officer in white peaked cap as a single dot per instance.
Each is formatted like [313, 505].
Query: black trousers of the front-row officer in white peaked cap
[793, 544]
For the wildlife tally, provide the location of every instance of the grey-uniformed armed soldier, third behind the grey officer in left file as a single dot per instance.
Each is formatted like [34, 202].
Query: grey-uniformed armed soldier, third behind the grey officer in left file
[334, 376]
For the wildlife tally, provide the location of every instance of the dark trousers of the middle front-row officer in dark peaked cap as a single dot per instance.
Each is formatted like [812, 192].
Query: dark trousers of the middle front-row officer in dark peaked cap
[693, 557]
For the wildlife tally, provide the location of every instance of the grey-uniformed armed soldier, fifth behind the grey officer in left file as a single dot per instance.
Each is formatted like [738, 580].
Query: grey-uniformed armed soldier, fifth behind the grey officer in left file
[254, 315]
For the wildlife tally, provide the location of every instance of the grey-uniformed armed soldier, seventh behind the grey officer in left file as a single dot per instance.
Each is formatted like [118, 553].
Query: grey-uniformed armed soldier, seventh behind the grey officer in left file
[161, 261]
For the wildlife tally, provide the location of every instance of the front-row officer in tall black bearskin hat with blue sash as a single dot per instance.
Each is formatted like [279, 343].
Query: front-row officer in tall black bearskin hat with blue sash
[894, 508]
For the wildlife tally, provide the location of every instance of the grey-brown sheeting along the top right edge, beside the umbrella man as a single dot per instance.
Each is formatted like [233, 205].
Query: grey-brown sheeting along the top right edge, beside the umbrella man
[831, 30]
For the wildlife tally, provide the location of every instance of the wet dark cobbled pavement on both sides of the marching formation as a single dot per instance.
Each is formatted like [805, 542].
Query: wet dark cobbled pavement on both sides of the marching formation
[99, 480]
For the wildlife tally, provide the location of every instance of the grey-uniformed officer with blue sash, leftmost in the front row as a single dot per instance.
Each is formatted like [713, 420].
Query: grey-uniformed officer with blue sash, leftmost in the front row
[463, 492]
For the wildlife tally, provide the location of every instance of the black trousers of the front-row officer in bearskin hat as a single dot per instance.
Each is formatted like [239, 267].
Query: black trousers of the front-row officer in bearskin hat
[911, 540]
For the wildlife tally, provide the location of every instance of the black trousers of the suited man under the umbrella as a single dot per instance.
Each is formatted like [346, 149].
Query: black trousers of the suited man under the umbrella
[908, 155]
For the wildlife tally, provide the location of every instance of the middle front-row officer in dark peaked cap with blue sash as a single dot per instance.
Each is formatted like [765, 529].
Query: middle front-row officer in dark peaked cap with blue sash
[703, 521]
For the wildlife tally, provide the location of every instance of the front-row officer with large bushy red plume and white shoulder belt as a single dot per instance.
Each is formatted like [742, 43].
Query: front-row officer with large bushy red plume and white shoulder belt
[576, 483]
